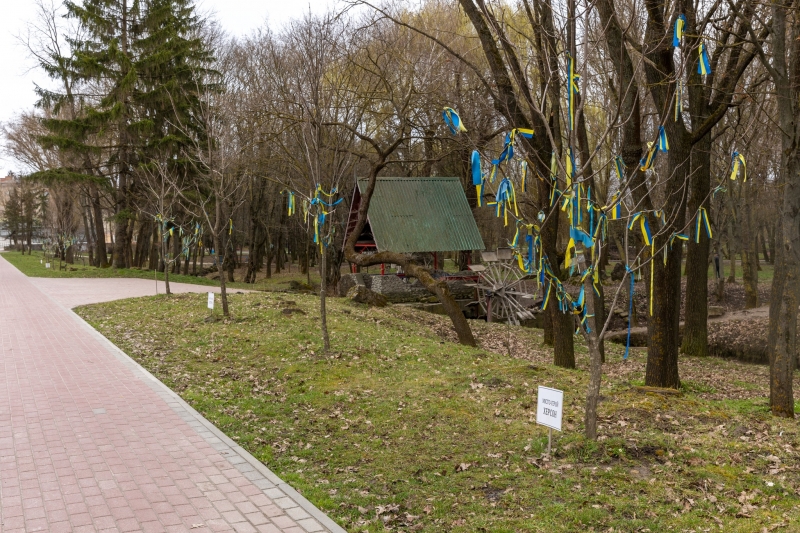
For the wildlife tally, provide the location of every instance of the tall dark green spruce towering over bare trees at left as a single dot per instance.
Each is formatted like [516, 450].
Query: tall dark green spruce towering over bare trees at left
[139, 62]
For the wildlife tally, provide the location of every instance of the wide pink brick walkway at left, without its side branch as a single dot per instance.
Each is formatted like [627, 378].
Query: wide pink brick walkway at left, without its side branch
[89, 441]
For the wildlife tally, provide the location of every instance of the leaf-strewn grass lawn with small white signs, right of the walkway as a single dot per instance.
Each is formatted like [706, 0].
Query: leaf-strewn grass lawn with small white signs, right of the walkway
[399, 429]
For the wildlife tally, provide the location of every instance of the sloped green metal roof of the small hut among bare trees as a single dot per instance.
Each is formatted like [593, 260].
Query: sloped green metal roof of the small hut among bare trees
[421, 215]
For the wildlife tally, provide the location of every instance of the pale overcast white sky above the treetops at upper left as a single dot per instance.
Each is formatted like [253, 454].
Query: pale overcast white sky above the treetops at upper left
[237, 17]
